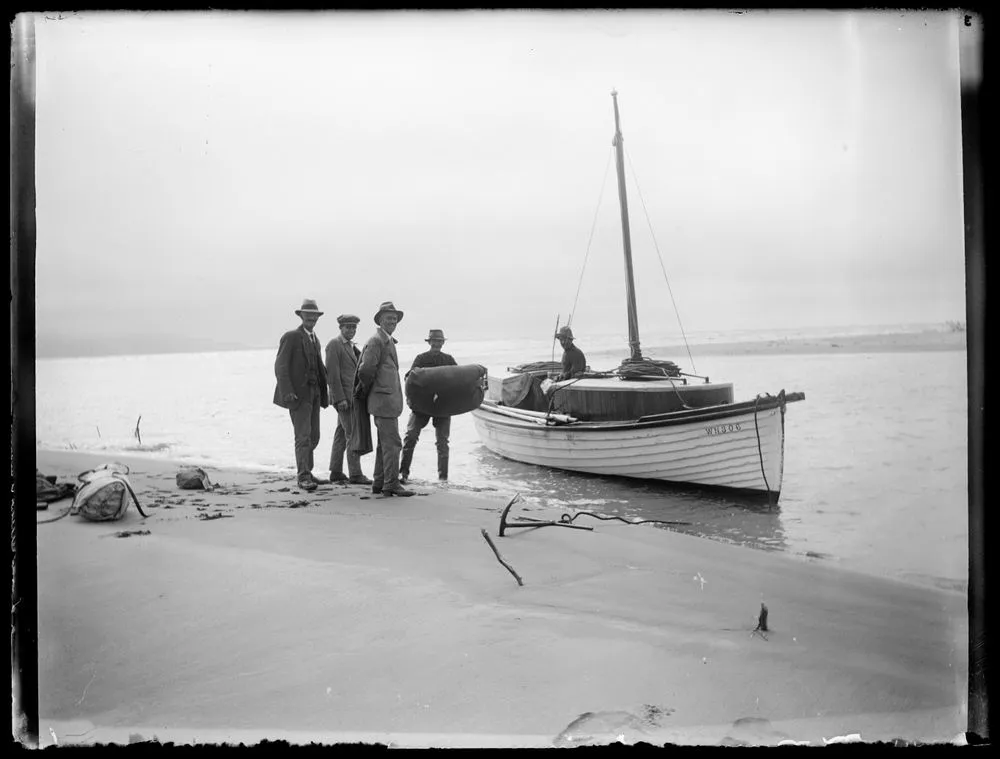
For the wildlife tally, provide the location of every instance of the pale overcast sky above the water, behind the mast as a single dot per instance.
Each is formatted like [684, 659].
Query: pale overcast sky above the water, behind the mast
[199, 174]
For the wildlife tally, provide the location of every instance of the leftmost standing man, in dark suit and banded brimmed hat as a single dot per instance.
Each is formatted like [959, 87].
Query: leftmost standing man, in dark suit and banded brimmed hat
[302, 388]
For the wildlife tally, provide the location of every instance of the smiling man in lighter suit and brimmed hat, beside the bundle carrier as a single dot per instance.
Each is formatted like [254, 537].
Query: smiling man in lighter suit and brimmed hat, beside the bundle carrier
[378, 378]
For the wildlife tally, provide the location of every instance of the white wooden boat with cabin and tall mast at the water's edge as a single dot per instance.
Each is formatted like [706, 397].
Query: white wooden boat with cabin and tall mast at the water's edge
[643, 420]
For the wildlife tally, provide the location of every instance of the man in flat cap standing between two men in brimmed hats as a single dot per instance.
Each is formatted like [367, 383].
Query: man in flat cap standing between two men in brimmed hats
[341, 366]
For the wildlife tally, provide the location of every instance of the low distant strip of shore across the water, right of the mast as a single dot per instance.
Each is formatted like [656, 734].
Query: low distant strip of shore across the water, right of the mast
[898, 342]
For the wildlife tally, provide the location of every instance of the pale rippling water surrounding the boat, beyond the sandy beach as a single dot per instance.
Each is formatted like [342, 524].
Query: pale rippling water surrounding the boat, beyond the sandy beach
[875, 458]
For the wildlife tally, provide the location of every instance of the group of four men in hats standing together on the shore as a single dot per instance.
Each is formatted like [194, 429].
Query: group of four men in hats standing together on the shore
[359, 384]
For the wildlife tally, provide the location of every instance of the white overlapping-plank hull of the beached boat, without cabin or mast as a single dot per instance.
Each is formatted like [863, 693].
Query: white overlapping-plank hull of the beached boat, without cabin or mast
[734, 446]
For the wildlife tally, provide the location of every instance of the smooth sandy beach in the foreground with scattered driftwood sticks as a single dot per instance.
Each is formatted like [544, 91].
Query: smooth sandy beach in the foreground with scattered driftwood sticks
[256, 611]
